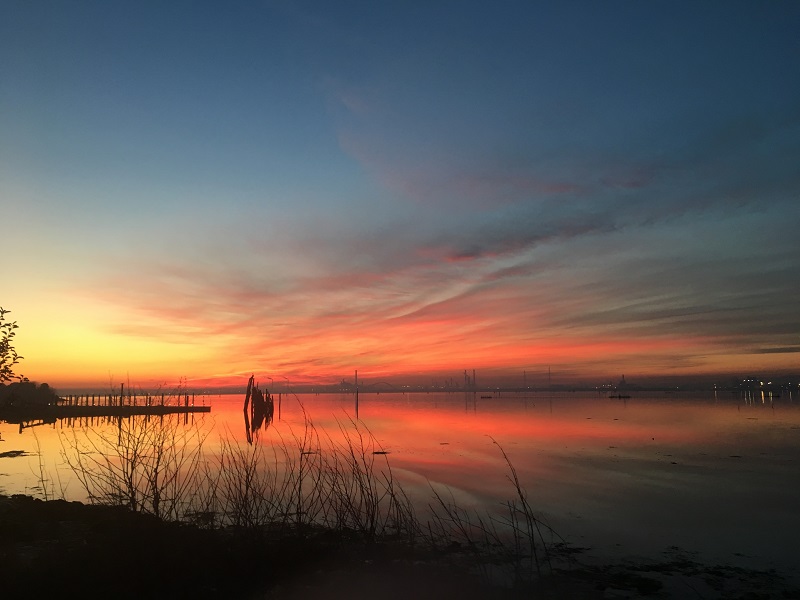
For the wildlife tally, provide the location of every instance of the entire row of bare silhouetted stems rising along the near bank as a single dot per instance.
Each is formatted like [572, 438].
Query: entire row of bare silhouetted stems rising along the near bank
[300, 482]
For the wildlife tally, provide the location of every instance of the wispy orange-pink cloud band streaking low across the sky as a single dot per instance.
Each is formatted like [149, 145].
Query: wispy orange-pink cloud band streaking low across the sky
[582, 300]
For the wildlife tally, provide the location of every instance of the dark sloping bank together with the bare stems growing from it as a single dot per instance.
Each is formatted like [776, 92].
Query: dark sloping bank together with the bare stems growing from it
[309, 514]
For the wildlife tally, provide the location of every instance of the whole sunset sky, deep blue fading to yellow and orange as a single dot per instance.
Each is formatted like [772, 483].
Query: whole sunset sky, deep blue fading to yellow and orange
[199, 191]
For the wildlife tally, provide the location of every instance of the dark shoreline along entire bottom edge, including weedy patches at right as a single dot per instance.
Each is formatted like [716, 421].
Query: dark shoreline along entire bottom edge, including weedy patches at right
[96, 550]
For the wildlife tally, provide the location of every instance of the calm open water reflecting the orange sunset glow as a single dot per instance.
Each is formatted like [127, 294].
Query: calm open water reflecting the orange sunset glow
[719, 475]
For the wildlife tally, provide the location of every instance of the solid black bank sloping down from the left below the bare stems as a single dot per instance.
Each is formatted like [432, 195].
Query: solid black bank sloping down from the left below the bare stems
[67, 549]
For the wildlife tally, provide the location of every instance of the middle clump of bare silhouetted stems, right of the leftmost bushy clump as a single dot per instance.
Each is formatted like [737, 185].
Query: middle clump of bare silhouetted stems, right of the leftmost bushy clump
[304, 480]
